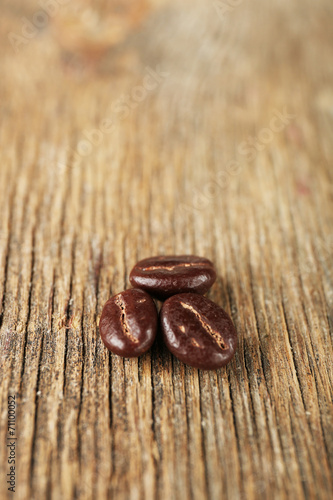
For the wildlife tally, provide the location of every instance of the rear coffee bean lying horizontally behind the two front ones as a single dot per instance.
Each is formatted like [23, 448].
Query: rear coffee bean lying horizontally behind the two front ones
[164, 276]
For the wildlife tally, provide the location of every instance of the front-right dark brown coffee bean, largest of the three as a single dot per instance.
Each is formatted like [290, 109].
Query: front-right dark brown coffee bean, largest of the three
[198, 331]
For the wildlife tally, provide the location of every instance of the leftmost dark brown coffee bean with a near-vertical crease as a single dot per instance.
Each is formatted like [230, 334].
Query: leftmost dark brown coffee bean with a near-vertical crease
[128, 323]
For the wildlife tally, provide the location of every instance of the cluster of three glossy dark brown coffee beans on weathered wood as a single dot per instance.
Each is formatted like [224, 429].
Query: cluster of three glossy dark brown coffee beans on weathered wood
[195, 329]
